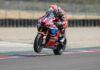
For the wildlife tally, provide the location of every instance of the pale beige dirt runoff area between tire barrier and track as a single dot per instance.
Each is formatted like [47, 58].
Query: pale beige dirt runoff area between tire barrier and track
[76, 37]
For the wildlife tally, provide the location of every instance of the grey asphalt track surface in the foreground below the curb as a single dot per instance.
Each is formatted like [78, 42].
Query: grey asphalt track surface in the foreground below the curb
[73, 61]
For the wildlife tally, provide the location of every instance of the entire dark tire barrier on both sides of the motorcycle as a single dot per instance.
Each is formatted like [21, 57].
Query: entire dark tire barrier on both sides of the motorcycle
[33, 22]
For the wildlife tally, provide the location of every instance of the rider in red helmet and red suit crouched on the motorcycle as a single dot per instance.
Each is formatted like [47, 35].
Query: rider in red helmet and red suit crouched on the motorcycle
[60, 21]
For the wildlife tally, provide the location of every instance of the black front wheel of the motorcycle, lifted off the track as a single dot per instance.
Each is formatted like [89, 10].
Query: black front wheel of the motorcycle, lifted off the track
[38, 43]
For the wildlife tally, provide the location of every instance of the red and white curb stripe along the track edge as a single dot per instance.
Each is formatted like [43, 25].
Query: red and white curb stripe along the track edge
[45, 54]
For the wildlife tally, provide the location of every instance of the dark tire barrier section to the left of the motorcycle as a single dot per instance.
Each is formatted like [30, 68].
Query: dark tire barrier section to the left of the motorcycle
[18, 22]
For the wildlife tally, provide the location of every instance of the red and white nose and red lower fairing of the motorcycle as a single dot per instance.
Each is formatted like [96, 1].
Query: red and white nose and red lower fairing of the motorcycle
[44, 30]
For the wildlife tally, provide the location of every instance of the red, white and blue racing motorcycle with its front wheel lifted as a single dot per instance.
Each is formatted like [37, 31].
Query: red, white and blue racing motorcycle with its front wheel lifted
[43, 39]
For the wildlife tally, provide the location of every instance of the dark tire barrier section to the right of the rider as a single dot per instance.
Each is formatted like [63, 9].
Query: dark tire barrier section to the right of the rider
[84, 23]
